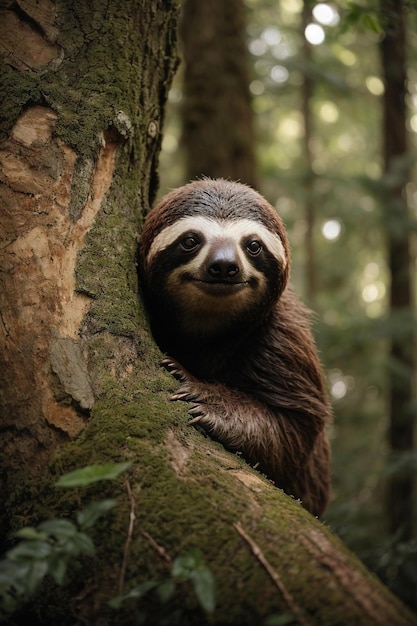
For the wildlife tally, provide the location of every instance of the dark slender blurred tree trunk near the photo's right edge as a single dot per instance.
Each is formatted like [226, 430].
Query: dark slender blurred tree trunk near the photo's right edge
[402, 352]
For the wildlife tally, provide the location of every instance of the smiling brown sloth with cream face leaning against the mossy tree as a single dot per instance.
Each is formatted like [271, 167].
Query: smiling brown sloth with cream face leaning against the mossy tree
[214, 266]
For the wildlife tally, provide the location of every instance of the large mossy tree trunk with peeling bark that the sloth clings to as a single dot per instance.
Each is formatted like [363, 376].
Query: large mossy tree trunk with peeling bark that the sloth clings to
[85, 87]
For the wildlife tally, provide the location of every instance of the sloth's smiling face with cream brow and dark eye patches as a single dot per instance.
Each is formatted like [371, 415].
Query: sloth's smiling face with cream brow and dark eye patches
[213, 273]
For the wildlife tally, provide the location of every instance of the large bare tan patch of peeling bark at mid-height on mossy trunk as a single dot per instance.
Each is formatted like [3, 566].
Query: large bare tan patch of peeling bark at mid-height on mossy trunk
[40, 247]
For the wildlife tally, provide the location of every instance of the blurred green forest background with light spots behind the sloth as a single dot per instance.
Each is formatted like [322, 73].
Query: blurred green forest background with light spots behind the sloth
[316, 85]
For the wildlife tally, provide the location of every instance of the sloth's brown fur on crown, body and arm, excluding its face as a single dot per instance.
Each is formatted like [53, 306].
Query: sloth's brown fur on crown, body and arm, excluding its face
[257, 388]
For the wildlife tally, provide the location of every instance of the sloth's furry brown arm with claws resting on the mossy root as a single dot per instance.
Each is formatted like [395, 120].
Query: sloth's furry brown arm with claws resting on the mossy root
[265, 437]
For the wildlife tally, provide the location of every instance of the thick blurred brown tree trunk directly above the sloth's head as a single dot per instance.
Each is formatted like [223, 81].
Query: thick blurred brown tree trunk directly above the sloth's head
[218, 134]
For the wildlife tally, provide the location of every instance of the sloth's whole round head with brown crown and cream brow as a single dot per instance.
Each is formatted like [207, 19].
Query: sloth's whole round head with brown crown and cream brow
[214, 257]
